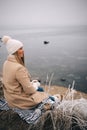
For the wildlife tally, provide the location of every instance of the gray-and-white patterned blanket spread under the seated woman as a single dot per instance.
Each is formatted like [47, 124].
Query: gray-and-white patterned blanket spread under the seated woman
[29, 115]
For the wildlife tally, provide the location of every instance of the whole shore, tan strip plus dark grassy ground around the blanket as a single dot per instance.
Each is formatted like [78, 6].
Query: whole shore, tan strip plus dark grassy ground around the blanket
[56, 119]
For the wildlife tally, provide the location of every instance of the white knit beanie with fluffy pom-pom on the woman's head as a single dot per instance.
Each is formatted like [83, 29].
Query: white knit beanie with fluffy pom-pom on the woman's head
[12, 45]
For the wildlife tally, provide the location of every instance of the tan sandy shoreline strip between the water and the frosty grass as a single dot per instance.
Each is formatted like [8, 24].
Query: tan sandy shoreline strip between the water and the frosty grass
[54, 90]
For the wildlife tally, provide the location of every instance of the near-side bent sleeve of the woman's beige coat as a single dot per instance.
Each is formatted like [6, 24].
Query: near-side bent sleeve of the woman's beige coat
[23, 78]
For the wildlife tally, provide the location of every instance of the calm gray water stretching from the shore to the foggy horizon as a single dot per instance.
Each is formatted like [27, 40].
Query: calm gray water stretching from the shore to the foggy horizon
[65, 57]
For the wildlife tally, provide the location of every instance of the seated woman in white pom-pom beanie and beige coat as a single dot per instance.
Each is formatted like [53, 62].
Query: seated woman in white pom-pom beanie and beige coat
[18, 90]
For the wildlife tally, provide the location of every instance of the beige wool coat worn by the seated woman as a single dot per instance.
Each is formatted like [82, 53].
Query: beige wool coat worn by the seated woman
[18, 89]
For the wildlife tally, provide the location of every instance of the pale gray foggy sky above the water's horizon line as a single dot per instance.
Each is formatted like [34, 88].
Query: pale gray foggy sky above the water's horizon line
[43, 12]
